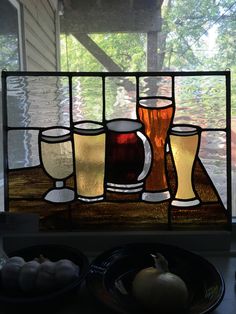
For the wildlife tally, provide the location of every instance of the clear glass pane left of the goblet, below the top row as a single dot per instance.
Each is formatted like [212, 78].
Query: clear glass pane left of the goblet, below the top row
[23, 149]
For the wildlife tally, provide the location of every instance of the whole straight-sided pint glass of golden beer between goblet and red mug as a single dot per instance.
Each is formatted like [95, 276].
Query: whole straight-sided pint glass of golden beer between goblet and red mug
[89, 154]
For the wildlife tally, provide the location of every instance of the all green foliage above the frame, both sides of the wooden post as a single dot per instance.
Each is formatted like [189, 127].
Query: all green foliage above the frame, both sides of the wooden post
[184, 42]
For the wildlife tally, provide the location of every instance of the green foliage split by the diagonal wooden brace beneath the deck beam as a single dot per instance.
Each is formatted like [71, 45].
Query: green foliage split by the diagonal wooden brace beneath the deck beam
[127, 50]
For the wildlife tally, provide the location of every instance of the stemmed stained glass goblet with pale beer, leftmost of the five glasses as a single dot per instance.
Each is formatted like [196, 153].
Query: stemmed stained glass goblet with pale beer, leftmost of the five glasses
[55, 147]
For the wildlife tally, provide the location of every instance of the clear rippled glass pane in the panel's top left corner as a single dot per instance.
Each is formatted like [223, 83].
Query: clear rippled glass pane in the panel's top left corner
[40, 101]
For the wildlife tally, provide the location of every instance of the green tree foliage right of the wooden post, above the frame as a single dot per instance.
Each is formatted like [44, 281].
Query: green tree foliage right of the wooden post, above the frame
[187, 23]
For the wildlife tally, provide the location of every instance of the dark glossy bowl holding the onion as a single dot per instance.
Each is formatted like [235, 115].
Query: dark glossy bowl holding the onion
[111, 274]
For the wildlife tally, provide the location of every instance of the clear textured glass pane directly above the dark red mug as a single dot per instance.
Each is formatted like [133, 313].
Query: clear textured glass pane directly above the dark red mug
[120, 98]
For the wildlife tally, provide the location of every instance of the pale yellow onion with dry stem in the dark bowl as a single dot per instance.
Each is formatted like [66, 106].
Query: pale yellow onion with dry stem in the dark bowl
[159, 290]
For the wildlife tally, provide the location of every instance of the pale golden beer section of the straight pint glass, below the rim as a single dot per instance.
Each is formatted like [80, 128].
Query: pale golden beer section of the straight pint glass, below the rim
[90, 164]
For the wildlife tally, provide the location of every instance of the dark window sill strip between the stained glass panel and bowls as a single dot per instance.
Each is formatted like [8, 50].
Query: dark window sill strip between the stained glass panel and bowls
[94, 242]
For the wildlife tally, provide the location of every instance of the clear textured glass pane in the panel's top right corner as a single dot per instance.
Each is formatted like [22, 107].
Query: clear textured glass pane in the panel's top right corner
[201, 101]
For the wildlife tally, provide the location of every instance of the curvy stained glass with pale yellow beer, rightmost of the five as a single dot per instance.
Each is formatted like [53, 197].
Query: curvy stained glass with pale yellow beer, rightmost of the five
[184, 142]
